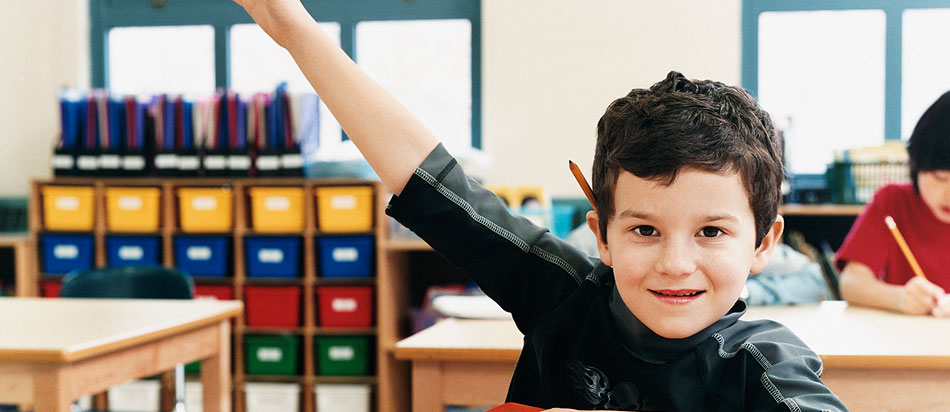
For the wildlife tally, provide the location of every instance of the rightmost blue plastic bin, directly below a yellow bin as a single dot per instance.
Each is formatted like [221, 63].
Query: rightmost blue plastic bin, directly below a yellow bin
[345, 256]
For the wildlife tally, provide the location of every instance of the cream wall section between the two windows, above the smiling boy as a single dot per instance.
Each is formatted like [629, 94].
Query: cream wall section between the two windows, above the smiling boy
[550, 69]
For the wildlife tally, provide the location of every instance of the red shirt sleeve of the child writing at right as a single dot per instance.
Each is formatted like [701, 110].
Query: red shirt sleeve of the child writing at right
[867, 241]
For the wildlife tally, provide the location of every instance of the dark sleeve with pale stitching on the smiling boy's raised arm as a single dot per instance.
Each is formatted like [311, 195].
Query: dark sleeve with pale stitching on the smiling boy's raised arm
[522, 267]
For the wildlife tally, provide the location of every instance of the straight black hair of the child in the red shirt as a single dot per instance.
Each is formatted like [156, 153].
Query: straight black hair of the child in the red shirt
[929, 144]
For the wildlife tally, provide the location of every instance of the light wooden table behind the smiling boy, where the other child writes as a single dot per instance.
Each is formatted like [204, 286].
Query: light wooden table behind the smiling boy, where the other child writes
[873, 360]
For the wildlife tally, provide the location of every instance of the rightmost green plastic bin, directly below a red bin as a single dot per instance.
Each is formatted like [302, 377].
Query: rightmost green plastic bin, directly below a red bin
[343, 355]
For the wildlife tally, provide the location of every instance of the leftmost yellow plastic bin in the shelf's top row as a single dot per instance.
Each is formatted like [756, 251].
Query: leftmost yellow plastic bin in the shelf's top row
[68, 207]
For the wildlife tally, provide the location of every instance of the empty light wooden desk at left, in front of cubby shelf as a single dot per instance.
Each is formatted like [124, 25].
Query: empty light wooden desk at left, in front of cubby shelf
[52, 351]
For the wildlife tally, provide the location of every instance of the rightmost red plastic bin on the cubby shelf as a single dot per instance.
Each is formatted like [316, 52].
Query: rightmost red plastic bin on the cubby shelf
[345, 306]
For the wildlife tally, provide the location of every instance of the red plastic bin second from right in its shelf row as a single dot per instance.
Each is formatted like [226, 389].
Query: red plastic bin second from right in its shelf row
[272, 306]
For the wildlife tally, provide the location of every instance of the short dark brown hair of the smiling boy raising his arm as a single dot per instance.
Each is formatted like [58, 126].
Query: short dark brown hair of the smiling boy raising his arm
[680, 123]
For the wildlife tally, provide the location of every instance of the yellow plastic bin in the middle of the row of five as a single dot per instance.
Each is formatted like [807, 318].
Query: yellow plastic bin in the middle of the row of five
[204, 209]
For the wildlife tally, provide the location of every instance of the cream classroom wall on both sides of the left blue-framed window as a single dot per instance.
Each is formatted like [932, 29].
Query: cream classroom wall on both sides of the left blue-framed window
[550, 67]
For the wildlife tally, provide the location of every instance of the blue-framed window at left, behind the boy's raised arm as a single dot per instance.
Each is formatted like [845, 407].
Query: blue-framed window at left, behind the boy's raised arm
[426, 52]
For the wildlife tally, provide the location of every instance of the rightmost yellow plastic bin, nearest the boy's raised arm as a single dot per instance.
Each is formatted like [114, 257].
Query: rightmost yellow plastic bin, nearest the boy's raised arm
[344, 208]
